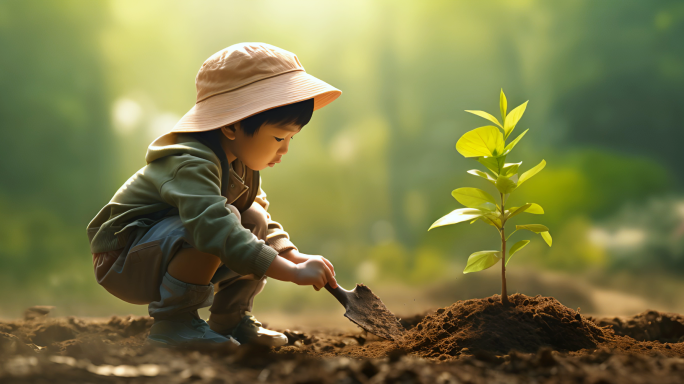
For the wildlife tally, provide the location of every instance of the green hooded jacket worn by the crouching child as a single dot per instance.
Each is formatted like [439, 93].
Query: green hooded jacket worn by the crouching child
[184, 176]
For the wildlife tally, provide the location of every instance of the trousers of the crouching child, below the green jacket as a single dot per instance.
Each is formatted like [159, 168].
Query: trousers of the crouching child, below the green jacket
[136, 272]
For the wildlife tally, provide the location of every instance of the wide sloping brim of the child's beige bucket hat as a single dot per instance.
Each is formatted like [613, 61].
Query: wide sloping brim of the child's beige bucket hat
[230, 107]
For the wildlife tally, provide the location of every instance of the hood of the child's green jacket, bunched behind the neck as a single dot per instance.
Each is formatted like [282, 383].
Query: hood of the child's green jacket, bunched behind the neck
[173, 144]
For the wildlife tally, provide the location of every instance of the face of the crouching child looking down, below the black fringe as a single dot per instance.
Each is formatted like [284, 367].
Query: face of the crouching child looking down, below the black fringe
[265, 148]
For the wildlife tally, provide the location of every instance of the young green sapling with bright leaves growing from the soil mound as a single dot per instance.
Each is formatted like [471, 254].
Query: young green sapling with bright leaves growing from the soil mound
[488, 145]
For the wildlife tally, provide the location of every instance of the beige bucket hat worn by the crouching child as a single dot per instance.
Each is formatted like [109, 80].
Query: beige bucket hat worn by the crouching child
[247, 78]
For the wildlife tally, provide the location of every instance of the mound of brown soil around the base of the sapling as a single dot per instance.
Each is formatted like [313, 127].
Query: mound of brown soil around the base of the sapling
[485, 325]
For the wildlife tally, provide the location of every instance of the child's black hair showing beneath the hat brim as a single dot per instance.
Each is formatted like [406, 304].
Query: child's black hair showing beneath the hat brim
[297, 113]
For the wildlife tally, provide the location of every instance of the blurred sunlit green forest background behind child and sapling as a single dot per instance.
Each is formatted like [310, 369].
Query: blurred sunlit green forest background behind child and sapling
[85, 86]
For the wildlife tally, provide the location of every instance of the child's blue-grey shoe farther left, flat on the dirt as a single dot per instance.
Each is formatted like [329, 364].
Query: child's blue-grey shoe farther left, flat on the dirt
[185, 328]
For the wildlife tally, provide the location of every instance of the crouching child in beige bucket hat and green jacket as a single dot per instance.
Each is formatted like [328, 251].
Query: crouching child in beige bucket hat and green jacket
[195, 216]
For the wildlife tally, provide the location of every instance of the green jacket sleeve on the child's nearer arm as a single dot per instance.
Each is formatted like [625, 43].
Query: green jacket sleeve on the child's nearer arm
[195, 190]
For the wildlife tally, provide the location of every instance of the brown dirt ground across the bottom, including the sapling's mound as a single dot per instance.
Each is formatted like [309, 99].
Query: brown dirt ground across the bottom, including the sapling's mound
[537, 340]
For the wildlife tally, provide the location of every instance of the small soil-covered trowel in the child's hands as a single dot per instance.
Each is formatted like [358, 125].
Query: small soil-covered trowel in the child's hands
[368, 311]
